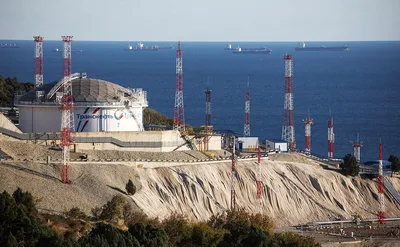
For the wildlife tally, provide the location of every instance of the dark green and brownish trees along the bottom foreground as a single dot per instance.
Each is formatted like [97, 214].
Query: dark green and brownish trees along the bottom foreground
[22, 225]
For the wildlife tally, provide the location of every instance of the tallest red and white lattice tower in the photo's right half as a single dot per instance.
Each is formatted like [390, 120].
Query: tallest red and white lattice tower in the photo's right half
[288, 122]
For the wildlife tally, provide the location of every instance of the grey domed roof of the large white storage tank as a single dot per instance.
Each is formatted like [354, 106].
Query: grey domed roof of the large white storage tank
[83, 90]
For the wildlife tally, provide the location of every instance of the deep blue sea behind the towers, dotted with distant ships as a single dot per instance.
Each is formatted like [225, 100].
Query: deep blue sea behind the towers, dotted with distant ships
[361, 87]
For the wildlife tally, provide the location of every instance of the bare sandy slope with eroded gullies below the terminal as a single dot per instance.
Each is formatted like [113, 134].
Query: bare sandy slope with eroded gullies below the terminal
[292, 192]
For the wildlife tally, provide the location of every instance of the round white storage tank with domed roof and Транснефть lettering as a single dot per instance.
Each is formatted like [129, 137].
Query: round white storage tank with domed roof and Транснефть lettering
[98, 106]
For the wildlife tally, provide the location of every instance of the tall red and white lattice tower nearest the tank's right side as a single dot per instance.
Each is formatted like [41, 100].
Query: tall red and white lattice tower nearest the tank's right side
[179, 118]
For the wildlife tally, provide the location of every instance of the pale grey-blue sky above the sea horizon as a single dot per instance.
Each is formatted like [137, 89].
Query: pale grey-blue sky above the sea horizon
[202, 20]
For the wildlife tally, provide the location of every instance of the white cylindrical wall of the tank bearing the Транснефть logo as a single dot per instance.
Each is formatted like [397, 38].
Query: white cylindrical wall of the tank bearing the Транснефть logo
[87, 119]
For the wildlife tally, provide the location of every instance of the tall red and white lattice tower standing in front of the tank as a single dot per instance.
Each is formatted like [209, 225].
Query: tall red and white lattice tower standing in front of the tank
[67, 107]
